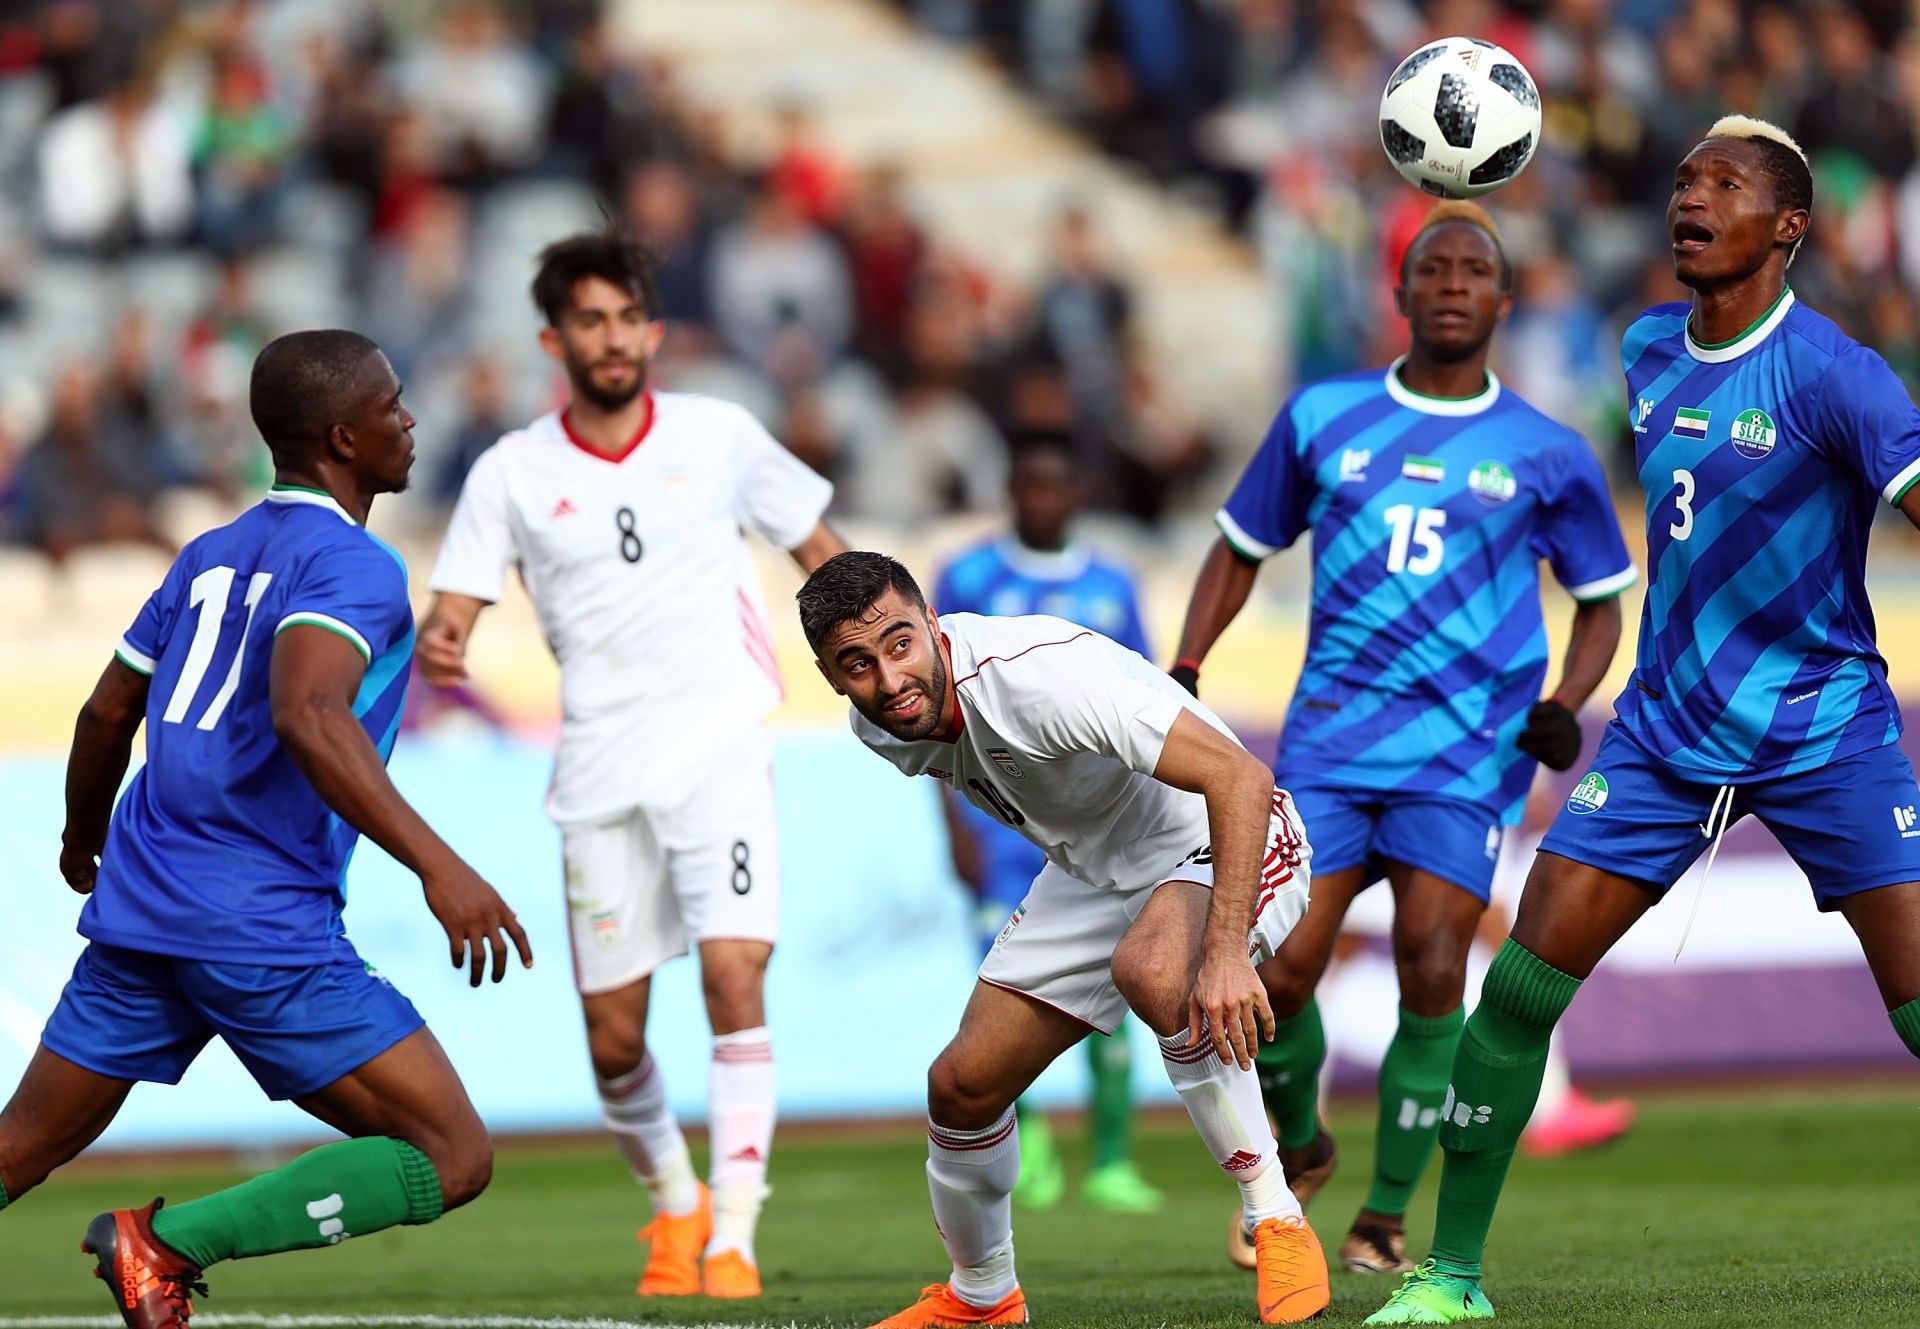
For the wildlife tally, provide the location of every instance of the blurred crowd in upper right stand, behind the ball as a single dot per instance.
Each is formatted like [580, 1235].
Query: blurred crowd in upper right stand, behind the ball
[1270, 112]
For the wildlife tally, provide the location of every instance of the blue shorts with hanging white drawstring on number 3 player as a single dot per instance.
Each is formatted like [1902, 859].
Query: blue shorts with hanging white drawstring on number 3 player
[1850, 825]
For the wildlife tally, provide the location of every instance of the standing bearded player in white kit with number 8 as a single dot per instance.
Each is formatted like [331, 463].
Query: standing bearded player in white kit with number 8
[625, 514]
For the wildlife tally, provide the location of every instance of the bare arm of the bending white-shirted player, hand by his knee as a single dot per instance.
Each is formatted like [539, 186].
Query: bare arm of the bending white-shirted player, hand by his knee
[1239, 800]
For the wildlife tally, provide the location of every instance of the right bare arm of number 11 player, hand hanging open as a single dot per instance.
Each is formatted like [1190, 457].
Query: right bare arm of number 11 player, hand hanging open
[314, 679]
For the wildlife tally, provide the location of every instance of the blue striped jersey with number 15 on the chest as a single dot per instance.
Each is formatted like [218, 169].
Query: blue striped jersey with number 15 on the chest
[1429, 520]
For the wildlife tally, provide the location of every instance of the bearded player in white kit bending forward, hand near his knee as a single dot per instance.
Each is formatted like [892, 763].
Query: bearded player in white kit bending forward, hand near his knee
[1172, 867]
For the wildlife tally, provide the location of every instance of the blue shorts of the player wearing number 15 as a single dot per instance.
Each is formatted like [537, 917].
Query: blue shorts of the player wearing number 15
[1349, 829]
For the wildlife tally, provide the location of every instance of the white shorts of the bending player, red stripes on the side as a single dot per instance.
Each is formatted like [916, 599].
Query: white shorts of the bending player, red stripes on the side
[1059, 946]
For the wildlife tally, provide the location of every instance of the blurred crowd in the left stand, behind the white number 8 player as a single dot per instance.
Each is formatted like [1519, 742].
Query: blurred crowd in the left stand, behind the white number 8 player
[193, 178]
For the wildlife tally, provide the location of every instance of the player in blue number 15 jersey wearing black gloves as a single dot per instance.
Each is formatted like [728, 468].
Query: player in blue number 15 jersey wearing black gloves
[1433, 495]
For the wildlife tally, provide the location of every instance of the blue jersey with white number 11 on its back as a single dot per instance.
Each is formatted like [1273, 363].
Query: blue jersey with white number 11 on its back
[220, 848]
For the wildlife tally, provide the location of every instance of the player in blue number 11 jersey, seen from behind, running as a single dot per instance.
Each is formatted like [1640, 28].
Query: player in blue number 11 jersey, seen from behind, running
[270, 671]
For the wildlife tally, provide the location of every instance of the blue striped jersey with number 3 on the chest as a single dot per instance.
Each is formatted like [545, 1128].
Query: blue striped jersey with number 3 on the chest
[1764, 460]
